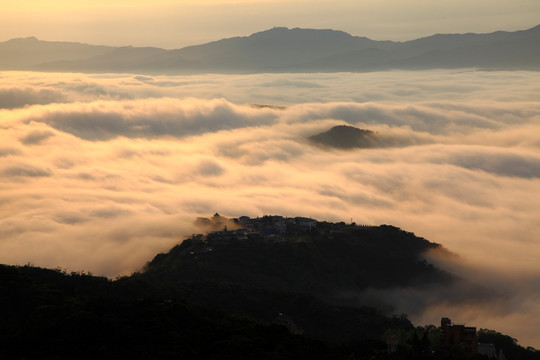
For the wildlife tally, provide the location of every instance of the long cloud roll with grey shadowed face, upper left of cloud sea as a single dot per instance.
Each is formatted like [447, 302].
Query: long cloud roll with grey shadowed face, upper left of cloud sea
[152, 118]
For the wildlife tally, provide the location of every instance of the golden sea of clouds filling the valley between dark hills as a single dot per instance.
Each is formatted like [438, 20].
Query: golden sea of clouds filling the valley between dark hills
[101, 172]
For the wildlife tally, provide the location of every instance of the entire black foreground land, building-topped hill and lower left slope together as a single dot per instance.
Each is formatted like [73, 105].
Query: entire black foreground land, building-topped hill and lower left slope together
[263, 288]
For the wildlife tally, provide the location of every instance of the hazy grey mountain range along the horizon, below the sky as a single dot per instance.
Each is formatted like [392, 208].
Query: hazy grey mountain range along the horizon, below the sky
[284, 50]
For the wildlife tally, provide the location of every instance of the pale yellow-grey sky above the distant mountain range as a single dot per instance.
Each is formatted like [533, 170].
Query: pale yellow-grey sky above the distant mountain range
[174, 24]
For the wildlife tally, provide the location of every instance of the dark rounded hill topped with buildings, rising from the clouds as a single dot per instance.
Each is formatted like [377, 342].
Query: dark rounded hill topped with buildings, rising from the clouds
[301, 255]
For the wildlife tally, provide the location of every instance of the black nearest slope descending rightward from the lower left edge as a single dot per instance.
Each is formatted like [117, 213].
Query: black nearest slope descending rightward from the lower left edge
[47, 314]
